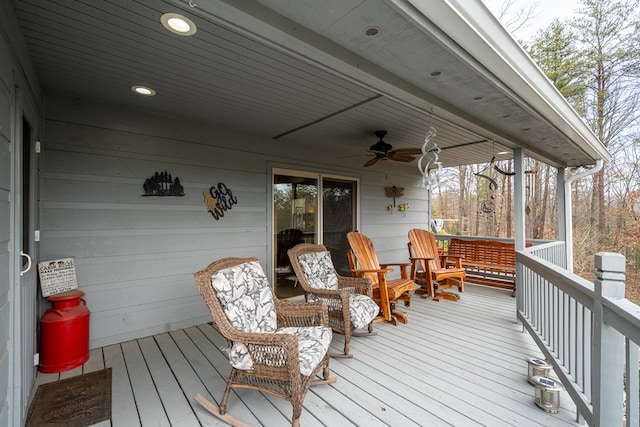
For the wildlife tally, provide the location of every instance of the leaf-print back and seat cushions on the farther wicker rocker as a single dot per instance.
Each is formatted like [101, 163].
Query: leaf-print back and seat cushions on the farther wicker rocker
[320, 273]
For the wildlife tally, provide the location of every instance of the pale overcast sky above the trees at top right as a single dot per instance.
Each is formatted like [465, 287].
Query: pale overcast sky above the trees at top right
[547, 11]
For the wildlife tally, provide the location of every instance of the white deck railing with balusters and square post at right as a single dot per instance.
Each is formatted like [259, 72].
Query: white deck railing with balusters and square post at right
[587, 331]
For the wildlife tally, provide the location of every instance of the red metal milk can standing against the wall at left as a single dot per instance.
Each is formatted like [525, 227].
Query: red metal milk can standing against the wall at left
[64, 329]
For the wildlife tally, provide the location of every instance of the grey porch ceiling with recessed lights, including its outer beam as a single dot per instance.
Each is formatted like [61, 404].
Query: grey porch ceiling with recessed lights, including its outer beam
[298, 71]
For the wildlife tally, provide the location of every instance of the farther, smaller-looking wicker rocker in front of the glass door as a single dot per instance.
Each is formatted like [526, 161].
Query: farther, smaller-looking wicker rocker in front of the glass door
[348, 299]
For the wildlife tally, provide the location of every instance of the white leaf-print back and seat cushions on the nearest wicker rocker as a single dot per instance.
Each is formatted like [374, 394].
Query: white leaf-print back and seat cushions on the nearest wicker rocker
[247, 300]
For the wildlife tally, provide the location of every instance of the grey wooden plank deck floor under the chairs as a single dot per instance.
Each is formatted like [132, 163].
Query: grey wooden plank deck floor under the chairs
[453, 364]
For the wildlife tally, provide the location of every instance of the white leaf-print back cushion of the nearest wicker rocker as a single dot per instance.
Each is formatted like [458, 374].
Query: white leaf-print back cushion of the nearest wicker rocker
[243, 291]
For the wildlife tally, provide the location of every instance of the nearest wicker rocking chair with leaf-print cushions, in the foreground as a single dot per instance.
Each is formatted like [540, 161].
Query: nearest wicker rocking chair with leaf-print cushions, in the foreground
[274, 346]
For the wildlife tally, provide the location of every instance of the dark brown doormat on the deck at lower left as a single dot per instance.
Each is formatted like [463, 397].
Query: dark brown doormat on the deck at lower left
[73, 402]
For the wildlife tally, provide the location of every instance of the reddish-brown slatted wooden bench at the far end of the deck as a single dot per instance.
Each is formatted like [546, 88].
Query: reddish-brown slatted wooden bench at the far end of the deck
[487, 262]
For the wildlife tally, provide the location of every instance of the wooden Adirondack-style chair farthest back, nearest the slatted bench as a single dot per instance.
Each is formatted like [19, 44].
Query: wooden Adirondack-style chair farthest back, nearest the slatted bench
[429, 268]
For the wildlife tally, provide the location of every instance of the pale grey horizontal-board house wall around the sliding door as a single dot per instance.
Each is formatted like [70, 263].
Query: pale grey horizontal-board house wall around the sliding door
[135, 255]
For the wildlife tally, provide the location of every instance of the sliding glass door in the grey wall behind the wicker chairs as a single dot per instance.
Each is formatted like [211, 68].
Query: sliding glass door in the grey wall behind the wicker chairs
[299, 215]
